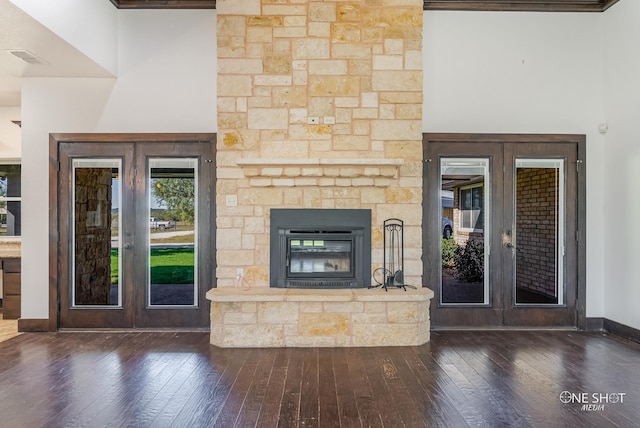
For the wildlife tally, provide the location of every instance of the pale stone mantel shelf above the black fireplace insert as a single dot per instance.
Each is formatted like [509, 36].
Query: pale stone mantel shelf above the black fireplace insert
[320, 171]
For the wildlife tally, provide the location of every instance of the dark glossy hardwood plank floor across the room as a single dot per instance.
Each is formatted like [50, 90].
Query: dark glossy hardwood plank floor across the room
[477, 378]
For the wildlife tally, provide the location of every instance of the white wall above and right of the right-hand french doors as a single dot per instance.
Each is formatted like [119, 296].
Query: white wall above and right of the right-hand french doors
[508, 72]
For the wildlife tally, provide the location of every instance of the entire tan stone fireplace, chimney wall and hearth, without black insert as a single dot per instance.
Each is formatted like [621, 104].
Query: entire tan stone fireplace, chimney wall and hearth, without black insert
[319, 107]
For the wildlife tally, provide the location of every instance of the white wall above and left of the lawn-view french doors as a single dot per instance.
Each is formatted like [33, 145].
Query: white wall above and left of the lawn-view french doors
[166, 83]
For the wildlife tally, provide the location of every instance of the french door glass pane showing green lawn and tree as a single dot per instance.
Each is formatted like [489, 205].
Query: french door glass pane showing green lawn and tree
[173, 193]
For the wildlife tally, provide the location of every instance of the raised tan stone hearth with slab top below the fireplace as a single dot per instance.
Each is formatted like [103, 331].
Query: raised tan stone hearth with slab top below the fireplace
[268, 317]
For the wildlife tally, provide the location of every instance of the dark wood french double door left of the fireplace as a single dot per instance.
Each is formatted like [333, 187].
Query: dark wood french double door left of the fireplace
[135, 241]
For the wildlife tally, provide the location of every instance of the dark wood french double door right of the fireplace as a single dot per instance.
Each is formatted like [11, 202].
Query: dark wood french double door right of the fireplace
[513, 257]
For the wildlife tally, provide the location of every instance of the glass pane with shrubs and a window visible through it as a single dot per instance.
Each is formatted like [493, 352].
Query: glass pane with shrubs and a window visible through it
[464, 255]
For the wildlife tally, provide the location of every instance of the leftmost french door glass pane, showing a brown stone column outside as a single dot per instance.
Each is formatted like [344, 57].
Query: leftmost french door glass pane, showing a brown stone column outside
[96, 233]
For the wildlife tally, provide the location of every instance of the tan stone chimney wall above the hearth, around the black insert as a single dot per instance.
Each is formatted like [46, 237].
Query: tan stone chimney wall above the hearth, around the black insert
[354, 65]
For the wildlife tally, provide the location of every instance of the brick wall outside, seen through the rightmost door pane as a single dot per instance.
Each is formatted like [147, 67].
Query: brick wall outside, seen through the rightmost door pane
[536, 230]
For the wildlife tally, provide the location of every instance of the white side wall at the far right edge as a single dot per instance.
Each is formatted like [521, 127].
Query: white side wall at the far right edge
[622, 164]
